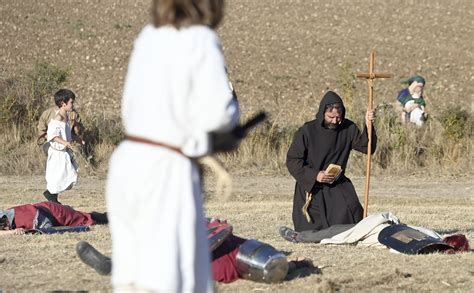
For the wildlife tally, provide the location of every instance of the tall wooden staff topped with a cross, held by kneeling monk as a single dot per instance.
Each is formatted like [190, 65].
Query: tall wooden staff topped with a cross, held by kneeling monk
[370, 76]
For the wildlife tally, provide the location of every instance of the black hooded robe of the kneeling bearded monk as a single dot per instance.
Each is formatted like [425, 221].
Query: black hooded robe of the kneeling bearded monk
[314, 147]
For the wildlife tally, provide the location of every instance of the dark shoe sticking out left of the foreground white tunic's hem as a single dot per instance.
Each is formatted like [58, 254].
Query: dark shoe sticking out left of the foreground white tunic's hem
[91, 257]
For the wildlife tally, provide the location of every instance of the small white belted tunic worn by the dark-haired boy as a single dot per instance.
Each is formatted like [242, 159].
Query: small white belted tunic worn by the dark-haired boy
[61, 170]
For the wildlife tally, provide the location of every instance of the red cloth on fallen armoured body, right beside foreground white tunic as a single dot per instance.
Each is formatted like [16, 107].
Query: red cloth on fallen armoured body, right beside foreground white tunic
[224, 268]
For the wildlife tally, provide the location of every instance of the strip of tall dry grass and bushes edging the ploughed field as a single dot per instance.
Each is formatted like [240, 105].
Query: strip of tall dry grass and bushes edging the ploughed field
[442, 147]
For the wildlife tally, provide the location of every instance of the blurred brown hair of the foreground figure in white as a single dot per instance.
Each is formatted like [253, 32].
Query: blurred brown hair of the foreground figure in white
[183, 13]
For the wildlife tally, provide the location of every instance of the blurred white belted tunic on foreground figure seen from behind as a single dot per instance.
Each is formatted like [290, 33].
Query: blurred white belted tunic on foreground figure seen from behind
[176, 92]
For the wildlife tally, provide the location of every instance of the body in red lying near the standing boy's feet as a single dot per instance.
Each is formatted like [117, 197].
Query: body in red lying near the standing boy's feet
[17, 219]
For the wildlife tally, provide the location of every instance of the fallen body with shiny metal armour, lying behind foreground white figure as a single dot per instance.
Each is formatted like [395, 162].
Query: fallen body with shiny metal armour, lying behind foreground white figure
[233, 257]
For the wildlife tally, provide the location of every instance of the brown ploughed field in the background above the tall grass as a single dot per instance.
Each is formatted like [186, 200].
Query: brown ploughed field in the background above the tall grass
[281, 55]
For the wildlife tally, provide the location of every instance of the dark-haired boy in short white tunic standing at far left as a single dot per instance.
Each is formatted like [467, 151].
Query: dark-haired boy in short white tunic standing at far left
[61, 168]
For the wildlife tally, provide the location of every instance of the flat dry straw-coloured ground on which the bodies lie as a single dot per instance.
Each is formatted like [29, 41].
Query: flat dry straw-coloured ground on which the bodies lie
[258, 206]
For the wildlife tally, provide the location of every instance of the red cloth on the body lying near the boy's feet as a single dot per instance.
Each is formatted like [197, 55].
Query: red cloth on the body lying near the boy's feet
[64, 215]
